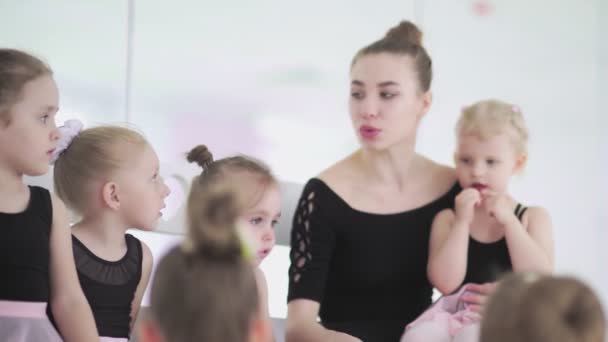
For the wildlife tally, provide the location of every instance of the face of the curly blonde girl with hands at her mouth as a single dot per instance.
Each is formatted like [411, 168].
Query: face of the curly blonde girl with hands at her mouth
[487, 164]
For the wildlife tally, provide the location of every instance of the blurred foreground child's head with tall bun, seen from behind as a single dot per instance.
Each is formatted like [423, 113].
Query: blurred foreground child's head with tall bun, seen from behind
[205, 290]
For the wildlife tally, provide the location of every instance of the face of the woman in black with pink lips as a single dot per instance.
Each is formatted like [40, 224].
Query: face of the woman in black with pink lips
[386, 103]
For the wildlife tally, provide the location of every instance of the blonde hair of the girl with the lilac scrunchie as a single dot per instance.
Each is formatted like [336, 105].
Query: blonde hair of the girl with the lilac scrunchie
[92, 155]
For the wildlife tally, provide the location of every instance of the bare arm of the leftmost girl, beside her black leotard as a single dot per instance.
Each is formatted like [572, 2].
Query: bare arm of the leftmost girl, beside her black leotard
[68, 303]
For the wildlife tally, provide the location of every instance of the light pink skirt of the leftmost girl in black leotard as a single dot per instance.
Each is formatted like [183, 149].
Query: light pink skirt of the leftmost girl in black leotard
[26, 322]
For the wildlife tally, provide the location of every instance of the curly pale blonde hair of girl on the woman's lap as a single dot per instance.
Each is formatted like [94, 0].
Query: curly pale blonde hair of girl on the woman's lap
[488, 118]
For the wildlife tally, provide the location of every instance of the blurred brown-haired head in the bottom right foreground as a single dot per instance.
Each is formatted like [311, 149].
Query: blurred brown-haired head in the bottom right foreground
[551, 309]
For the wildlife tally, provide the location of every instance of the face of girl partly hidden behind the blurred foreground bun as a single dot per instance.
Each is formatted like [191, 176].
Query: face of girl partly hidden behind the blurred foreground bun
[261, 219]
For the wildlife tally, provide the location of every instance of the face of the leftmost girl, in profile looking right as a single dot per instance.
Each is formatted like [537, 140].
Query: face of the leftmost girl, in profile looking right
[30, 137]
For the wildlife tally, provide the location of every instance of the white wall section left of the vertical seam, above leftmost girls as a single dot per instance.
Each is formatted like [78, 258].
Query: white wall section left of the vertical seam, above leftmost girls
[85, 43]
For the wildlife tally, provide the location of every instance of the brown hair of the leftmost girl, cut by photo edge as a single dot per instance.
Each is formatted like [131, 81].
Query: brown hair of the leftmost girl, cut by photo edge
[16, 69]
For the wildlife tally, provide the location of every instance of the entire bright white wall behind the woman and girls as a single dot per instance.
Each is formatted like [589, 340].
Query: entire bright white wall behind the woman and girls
[270, 78]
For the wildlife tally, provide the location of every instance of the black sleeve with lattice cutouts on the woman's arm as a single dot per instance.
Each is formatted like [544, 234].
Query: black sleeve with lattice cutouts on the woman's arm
[312, 242]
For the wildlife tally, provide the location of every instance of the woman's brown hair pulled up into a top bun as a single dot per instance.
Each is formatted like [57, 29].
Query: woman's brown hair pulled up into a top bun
[404, 39]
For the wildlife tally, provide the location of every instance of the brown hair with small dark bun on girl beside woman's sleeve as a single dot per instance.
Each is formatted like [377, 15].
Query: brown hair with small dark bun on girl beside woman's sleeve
[249, 176]
